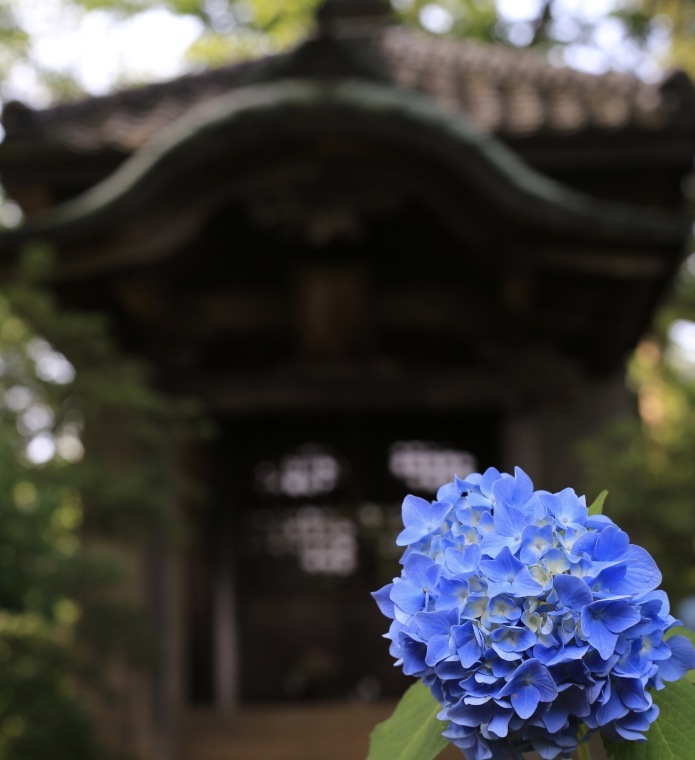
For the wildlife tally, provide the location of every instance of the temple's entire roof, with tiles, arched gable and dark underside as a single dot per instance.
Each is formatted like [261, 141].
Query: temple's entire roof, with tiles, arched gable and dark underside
[417, 121]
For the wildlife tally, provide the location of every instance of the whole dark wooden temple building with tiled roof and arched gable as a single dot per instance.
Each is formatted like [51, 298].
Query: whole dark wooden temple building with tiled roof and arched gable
[375, 259]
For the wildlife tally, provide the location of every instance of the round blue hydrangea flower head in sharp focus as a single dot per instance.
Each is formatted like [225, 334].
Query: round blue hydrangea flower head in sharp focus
[528, 618]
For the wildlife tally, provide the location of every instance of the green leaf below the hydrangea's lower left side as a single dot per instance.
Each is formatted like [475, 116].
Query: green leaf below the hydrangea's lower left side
[412, 732]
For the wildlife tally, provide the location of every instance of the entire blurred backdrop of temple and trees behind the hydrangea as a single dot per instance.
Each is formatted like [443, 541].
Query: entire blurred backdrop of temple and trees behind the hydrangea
[269, 266]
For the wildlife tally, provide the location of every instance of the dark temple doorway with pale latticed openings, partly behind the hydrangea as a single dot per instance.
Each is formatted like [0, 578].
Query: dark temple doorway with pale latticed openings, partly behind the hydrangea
[307, 508]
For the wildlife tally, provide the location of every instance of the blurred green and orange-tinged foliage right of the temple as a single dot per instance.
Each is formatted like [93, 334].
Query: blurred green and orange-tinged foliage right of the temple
[647, 463]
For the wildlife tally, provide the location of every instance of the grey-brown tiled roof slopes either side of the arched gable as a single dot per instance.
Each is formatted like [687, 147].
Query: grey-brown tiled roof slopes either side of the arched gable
[501, 91]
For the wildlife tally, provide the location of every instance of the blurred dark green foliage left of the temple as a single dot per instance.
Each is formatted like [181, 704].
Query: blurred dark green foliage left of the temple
[67, 614]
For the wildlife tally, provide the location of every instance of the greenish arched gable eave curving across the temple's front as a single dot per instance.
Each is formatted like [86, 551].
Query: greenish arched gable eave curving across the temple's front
[218, 133]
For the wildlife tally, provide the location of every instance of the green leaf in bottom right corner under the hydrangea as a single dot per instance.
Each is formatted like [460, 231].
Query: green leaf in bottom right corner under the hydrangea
[672, 735]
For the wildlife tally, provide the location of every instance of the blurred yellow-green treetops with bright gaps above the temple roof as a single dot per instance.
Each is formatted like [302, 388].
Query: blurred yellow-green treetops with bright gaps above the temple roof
[234, 29]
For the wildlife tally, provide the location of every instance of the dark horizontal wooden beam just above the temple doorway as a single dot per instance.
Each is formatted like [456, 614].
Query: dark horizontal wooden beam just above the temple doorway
[514, 381]
